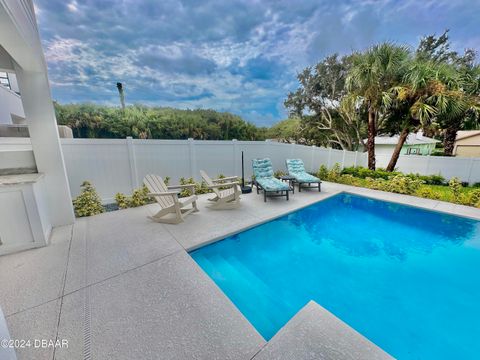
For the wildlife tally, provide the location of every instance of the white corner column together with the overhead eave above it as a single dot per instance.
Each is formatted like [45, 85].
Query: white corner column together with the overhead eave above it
[20, 39]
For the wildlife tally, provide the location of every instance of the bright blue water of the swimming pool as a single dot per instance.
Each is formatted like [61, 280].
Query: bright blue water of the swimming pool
[406, 278]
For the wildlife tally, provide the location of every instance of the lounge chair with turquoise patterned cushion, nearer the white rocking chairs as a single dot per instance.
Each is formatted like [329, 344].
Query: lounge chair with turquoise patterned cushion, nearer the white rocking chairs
[264, 179]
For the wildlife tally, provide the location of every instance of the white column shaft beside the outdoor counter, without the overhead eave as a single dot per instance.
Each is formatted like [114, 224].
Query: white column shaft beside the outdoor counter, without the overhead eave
[42, 125]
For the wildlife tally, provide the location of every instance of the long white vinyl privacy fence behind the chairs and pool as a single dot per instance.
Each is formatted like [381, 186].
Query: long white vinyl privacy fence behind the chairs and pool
[119, 165]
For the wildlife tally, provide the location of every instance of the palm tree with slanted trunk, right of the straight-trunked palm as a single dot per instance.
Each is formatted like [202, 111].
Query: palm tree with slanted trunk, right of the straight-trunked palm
[427, 90]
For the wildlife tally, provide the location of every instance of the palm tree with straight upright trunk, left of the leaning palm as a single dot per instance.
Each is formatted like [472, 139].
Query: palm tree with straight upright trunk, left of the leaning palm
[372, 74]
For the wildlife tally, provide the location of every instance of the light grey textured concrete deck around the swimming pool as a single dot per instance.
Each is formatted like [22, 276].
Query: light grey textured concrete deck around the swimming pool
[120, 286]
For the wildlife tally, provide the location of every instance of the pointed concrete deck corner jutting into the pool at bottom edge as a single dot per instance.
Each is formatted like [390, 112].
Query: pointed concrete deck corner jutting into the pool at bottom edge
[315, 333]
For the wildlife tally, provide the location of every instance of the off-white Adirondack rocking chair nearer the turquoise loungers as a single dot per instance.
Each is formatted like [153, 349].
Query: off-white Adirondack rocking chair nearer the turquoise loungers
[226, 190]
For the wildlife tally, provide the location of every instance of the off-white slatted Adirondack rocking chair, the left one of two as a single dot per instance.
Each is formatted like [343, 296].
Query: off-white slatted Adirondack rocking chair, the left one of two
[172, 209]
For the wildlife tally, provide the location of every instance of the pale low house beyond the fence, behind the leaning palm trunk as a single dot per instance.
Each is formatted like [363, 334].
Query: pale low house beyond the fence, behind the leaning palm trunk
[416, 144]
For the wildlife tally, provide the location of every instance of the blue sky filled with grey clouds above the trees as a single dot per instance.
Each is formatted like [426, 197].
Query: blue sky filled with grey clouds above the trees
[237, 56]
